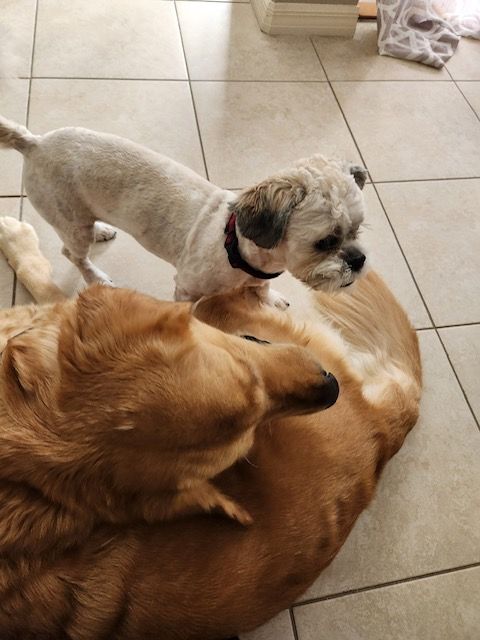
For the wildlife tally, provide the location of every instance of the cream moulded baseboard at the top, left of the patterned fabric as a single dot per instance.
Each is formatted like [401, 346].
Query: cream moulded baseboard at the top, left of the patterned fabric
[303, 18]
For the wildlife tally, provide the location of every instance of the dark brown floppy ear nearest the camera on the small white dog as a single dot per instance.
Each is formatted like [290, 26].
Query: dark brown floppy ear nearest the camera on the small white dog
[263, 211]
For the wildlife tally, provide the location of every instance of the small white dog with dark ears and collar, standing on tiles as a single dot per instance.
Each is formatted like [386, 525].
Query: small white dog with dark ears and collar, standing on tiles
[305, 219]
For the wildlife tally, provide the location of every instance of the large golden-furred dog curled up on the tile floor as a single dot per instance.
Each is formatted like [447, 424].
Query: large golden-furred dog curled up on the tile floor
[90, 568]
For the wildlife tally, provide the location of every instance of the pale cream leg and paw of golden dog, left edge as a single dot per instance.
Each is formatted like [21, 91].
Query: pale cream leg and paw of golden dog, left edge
[19, 244]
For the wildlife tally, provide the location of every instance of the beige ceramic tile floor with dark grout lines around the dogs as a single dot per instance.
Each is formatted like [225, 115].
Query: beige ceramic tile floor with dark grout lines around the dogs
[200, 82]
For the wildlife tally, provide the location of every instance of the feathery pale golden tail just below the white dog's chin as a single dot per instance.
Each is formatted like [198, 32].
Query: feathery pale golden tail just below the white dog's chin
[382, 346]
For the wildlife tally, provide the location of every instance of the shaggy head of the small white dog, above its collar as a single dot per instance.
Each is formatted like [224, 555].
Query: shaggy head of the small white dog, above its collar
[310, 216]
